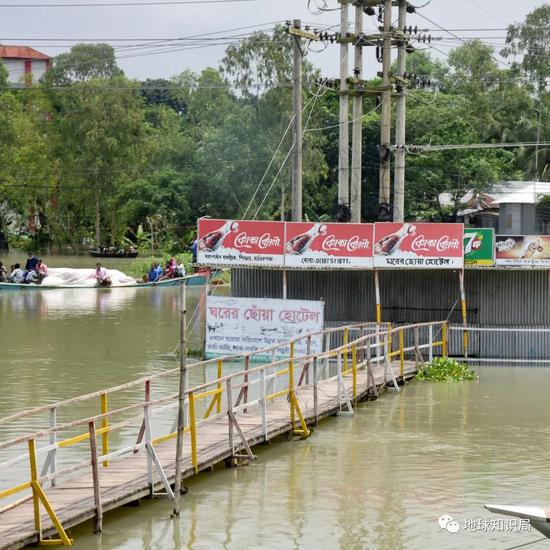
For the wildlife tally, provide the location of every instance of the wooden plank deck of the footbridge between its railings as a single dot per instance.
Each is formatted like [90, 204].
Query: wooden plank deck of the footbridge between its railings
[125, 480]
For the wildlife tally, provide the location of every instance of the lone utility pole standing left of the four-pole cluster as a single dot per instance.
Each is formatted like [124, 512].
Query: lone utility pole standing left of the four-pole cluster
[298, 137]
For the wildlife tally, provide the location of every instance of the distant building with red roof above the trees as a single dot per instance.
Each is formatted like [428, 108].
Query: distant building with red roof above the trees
[25, 65]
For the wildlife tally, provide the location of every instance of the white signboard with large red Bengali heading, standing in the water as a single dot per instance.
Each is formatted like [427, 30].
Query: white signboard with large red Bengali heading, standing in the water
[241, 325]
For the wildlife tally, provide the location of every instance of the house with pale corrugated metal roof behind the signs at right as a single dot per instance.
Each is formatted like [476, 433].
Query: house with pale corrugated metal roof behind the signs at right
[510, 207]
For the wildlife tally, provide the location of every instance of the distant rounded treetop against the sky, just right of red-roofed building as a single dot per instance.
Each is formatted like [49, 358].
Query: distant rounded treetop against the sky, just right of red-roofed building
[84, 62]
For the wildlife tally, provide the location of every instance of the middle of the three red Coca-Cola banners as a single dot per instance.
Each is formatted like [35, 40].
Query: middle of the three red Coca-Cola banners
[329, 245]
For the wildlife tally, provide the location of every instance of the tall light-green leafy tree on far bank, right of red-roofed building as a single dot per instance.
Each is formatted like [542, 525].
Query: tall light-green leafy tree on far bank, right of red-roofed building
[101, 142]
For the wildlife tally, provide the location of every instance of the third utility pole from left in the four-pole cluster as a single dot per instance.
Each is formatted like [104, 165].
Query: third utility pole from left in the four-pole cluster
[385, 131]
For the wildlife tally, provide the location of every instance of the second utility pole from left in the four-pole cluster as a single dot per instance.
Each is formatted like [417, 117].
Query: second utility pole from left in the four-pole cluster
[357, 121]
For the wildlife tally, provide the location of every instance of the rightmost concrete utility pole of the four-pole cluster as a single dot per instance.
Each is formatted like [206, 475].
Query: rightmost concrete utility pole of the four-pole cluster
[400, 120]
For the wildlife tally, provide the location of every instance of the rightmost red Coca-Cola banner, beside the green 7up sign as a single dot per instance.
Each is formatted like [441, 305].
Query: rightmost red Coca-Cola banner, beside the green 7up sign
[419, 245]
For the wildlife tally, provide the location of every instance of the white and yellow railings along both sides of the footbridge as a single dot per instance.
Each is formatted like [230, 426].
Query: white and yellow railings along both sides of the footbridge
[345, 351]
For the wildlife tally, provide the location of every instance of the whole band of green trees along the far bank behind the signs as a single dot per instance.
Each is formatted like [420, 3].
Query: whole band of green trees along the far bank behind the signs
[97, 158]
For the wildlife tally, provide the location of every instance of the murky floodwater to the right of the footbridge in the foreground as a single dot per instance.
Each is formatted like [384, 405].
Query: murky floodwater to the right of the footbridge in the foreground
[377, 480]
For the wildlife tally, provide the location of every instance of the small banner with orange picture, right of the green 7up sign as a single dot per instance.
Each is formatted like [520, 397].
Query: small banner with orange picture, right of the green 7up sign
[523, 250]
